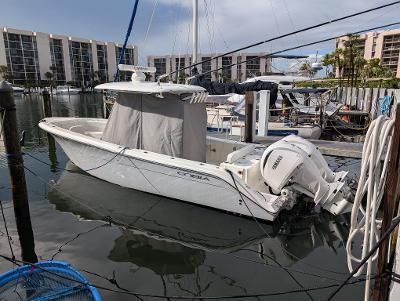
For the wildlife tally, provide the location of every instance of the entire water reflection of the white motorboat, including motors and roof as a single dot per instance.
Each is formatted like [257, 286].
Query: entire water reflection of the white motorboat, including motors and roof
[171, 237]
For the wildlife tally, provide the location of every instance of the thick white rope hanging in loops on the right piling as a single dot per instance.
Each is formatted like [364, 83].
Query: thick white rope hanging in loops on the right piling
[372, 181]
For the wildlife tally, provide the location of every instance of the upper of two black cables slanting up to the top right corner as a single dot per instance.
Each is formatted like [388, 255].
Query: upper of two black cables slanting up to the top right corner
[290, 34]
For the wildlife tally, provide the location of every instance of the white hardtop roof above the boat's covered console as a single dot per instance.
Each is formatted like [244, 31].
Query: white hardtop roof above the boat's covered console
[150, 87]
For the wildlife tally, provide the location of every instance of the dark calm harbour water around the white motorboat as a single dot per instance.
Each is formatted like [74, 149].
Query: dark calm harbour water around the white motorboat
[172, 248]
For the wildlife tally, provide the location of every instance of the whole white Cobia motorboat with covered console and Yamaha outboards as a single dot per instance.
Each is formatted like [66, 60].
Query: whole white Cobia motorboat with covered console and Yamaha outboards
[155, 141]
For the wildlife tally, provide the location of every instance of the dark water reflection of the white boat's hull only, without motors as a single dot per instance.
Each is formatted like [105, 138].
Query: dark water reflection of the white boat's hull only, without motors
[152, 216]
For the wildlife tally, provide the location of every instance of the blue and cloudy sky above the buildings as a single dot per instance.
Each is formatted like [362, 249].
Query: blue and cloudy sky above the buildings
[223, 24]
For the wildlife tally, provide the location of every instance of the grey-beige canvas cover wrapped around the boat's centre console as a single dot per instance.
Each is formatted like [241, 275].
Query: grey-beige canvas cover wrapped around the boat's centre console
[165, 125]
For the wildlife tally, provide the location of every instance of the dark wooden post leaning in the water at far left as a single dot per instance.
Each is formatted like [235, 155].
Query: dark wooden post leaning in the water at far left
[17, 174]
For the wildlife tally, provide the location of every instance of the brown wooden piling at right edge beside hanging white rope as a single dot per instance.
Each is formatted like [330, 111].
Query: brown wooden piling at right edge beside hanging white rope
[390, 201]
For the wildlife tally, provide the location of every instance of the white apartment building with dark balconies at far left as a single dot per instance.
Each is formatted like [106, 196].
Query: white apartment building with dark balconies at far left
[29, 56]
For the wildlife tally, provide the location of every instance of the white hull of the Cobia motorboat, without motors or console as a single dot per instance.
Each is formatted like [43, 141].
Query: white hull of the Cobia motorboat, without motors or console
[190, 181]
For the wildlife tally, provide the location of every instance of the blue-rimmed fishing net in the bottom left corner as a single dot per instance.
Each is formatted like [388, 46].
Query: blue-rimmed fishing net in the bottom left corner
[51, 281]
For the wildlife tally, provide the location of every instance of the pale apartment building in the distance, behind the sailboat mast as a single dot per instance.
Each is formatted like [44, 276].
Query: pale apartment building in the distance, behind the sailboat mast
[253, 65]
